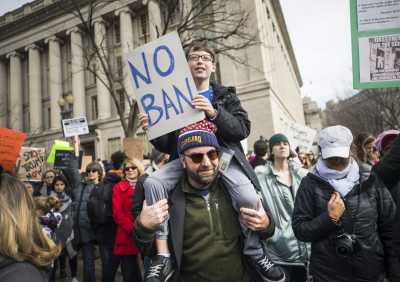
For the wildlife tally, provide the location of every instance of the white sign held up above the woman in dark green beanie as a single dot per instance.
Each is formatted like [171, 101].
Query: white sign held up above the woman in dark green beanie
[298, 134]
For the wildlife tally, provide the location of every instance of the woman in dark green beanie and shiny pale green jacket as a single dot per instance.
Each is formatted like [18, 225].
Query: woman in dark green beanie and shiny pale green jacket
[280, 178]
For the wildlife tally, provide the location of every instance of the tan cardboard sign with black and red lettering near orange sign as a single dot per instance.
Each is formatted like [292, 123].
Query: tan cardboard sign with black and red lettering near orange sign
[31, 161]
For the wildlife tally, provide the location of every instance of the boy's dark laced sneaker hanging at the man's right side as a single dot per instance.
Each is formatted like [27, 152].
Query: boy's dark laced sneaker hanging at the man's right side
[268, 271]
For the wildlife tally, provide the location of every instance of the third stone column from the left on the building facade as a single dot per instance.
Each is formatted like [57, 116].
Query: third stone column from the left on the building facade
[55, 81]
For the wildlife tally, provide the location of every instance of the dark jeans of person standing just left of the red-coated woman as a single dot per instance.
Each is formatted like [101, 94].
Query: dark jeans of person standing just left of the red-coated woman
[109, 262]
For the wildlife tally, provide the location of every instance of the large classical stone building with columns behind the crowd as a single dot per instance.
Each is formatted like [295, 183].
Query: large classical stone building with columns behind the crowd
[42, 75]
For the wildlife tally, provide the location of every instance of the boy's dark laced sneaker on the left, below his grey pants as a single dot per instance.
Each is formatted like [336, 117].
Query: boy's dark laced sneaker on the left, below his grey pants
[160, 269]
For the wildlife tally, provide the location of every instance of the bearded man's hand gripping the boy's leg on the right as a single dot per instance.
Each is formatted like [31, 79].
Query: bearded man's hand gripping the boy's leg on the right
[256, 220]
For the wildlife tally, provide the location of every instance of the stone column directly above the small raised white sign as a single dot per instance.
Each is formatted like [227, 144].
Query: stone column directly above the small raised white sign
[78, 72]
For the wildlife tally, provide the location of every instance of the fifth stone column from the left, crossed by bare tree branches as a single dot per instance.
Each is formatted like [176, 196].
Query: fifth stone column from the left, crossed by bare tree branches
[103, 95]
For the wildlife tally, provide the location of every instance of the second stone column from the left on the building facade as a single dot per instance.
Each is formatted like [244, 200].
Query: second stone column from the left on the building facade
[35, 88]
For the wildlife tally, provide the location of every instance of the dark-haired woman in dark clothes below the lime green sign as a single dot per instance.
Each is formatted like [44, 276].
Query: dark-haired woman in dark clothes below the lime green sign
[64, 233]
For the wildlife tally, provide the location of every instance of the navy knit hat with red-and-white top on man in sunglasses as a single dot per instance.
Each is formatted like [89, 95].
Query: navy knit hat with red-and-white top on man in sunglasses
[198, 134]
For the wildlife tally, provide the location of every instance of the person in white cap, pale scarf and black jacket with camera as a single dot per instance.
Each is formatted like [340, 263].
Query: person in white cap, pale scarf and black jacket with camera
[348, 223]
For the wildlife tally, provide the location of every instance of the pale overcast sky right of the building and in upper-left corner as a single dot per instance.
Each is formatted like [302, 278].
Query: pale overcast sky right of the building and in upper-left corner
[320, 35]
